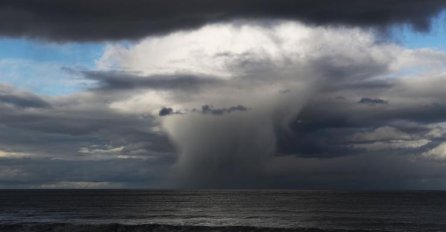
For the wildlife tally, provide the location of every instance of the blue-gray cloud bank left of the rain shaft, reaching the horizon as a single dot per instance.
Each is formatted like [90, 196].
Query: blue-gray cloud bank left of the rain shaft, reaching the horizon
[63, 146]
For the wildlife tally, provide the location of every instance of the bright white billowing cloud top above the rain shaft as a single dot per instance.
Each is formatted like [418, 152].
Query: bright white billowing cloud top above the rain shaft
[228, 50]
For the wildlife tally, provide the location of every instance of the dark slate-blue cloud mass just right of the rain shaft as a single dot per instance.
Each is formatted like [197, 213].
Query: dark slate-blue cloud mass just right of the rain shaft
[324, 126]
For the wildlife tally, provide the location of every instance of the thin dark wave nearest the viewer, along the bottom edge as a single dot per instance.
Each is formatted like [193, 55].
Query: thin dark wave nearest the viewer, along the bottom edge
[67, 227]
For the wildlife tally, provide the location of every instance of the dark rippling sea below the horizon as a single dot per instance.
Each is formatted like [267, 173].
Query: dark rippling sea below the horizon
[141, 210]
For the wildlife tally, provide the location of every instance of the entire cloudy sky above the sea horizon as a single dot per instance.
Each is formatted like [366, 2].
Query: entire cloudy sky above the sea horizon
[235, 94]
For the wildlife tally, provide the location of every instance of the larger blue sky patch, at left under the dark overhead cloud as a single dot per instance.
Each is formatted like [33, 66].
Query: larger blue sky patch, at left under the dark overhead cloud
[38, 66]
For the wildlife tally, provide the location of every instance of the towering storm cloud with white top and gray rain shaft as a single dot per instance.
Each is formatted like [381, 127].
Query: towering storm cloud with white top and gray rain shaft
[302, 93]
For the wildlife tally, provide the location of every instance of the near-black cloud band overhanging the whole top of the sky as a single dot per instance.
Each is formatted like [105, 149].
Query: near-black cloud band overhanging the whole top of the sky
[85, 20]
